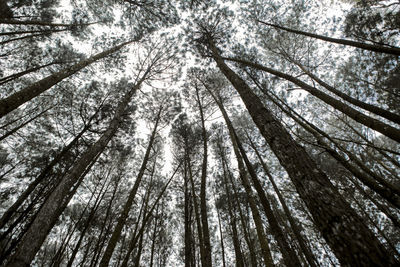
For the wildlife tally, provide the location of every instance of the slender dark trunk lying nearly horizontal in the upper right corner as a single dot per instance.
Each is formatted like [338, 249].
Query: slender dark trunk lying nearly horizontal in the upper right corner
[370, 47]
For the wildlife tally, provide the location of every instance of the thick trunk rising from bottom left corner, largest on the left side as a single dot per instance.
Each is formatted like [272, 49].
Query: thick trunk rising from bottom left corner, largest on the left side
[55, 203]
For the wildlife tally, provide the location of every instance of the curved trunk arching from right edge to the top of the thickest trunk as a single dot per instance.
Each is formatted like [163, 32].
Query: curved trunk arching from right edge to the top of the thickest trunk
[359, 117]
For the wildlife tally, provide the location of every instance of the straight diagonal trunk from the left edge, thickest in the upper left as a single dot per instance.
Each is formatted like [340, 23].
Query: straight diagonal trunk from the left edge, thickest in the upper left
[15, 100]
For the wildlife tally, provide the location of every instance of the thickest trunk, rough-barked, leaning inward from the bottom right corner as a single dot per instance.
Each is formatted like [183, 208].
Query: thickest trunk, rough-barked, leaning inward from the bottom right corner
[345, 232]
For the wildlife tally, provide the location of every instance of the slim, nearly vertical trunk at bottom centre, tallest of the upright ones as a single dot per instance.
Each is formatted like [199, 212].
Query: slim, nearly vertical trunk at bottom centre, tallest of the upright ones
[203, 198]
